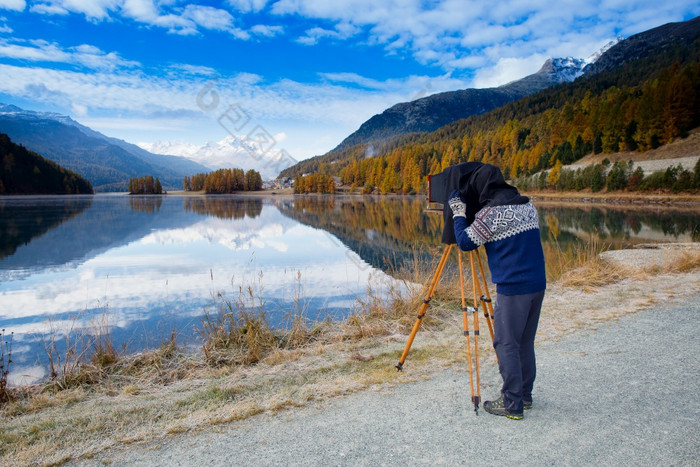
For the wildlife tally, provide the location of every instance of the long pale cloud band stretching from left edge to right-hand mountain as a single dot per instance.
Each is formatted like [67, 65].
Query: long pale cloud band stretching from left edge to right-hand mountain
[135, 95]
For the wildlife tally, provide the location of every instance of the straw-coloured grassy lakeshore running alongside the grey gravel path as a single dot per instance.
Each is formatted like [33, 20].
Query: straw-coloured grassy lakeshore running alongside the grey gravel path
[173, 392]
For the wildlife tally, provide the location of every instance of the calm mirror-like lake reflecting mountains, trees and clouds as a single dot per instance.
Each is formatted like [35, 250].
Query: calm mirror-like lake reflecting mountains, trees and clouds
[152, 265]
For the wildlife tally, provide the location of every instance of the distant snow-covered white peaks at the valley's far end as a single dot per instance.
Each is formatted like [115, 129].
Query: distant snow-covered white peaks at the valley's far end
[229, 152]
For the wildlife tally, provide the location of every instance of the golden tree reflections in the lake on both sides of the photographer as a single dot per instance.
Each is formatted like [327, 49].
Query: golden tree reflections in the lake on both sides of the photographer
[384, 232]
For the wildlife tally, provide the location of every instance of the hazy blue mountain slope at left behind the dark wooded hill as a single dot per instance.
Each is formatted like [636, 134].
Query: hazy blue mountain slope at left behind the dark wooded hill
[107, 162]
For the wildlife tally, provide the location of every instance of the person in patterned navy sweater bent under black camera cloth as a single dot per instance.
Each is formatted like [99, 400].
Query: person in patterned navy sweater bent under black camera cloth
[488, 211]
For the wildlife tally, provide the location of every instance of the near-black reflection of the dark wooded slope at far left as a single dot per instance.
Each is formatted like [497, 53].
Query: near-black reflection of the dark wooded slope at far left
[21, 221]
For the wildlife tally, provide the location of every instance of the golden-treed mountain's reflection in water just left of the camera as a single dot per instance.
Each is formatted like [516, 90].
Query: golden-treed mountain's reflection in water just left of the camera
[383, 231]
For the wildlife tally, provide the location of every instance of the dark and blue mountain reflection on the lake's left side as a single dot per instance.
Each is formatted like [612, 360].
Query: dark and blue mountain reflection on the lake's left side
[82, 228]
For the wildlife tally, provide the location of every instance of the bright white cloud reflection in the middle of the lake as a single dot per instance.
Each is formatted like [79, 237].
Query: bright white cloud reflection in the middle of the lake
[180, 269]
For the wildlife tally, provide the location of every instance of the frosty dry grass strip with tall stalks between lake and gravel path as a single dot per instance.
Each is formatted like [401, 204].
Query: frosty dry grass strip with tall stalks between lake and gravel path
[246, 368]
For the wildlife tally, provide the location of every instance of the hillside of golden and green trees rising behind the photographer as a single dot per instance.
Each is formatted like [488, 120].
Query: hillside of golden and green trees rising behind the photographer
[639, 105]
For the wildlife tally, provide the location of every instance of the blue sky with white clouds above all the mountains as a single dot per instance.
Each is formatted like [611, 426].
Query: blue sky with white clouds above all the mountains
[307, 72]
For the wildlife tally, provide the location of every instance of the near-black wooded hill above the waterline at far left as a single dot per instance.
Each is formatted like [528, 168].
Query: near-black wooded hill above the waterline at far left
[26, 172]
